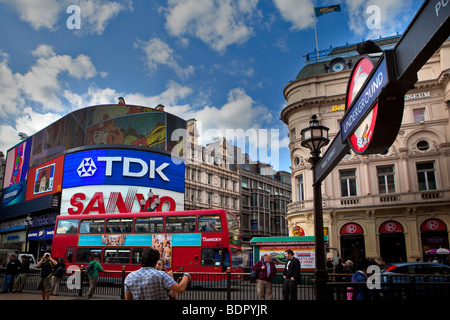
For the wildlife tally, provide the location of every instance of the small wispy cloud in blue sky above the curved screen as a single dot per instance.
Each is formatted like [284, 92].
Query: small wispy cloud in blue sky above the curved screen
[157, 52]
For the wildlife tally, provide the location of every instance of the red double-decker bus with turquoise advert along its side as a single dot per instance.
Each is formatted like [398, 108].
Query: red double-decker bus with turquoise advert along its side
[193, 241]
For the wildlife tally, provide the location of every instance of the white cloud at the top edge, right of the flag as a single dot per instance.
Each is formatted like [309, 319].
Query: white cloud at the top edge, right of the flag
[393, 17]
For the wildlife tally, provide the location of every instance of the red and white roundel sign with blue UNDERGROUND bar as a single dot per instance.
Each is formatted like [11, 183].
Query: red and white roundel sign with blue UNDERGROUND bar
[366, 97]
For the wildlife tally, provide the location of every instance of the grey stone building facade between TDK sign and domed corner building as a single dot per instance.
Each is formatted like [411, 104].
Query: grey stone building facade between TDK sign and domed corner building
[219, 175]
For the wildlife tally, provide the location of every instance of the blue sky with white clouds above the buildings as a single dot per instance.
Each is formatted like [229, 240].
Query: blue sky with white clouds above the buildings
[223, 62]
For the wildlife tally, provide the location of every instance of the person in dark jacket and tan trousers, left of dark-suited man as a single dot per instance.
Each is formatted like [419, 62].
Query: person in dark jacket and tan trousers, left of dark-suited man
[267, 271]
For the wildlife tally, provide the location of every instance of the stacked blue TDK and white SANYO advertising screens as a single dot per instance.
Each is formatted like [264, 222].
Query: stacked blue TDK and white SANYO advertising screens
[117, 180]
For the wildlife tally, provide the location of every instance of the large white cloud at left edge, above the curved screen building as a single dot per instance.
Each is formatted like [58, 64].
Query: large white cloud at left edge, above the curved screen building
[41, 85]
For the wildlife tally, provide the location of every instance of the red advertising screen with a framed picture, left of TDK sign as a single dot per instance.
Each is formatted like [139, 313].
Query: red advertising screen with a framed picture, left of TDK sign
[45, 179]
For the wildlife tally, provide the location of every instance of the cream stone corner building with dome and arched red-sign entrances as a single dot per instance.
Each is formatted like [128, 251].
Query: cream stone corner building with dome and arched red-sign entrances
[393, 205]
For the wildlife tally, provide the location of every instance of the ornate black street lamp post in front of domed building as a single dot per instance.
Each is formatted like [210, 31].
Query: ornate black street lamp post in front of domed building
[314, 138]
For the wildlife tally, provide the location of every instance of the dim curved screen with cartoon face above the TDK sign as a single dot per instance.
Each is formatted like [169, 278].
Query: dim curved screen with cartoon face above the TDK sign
[108, 125]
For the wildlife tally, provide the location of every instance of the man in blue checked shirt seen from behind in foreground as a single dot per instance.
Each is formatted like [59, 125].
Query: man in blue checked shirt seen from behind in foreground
[148, 283]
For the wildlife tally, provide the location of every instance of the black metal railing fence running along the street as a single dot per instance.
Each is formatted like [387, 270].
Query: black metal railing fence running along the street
[239, 286]
